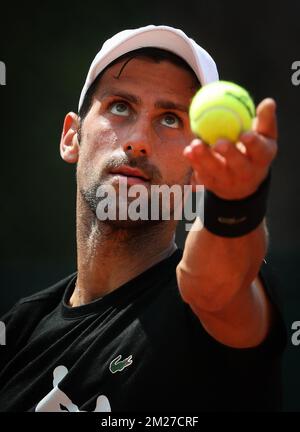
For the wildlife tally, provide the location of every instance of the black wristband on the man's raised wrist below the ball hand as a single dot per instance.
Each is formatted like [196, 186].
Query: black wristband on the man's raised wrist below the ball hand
[235, 218]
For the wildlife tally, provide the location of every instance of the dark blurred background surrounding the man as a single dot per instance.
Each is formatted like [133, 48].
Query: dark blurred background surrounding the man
[47, 49]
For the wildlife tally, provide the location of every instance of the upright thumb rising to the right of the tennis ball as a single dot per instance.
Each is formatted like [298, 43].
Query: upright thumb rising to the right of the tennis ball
[266, 122]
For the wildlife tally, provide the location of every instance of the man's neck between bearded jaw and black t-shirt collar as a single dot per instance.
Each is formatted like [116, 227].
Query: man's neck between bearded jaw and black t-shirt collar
[108, 256]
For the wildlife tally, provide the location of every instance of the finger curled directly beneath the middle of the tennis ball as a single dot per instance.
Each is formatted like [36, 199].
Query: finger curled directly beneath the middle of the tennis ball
[236, 161]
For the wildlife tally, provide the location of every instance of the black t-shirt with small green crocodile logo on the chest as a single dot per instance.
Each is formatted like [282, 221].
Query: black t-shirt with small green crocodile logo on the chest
[139, 348]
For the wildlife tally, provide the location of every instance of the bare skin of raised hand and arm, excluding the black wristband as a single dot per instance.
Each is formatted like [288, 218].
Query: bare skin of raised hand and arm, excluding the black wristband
[218, 276]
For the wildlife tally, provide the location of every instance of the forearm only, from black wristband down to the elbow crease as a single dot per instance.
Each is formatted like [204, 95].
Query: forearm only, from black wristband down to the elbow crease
[221, 265]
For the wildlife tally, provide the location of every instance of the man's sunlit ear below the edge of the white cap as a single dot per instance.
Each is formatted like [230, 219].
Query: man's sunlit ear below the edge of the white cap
[69, 144]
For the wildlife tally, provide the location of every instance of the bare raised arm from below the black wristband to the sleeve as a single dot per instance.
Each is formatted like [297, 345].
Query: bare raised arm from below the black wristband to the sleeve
[216, 277]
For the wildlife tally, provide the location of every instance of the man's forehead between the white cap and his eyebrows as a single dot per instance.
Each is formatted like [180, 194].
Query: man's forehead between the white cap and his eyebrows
[148, 77]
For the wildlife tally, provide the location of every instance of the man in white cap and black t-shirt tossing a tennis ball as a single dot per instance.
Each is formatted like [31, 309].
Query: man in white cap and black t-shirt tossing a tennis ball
[141, 326]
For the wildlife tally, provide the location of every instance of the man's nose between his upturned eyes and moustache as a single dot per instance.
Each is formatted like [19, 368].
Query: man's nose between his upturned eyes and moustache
[138, 141]
